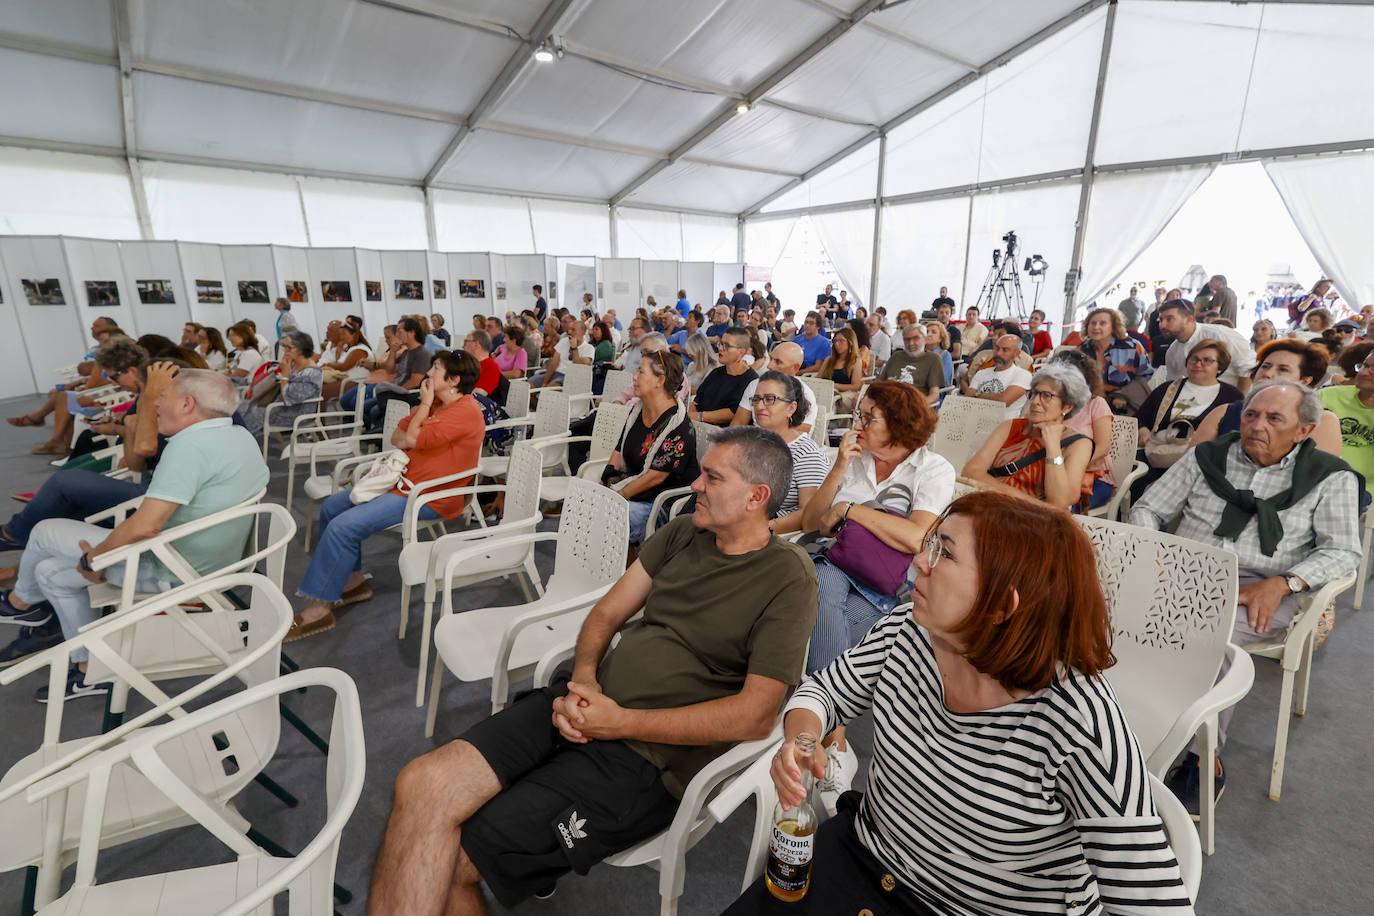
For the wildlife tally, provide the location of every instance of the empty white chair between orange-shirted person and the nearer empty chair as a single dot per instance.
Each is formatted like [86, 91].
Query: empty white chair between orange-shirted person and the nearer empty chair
[423, 562]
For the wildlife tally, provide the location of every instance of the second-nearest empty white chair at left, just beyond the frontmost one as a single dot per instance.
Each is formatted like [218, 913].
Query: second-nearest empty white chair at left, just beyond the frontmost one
[46, 836]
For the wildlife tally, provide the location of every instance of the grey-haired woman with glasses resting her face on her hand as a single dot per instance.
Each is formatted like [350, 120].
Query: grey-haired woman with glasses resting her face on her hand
[1038, 457]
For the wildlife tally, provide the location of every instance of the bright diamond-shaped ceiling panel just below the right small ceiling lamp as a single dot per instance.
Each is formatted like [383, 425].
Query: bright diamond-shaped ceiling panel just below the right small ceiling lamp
[777, 139]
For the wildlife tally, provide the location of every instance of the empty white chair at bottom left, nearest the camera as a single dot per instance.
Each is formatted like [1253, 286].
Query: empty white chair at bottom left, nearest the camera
[172, 763]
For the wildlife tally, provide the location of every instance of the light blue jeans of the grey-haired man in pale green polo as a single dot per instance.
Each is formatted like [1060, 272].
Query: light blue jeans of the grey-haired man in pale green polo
[49, 573]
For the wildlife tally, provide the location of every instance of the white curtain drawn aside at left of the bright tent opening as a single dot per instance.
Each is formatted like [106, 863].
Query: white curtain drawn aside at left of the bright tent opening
[1127, 214]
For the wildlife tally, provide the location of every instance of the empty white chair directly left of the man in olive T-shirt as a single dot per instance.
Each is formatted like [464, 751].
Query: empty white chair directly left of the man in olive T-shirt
[501, 643]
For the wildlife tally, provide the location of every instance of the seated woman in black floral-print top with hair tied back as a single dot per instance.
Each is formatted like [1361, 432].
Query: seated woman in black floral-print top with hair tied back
[659, 446]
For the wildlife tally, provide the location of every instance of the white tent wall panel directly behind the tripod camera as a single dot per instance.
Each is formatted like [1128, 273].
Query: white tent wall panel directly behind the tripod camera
[1044, 220]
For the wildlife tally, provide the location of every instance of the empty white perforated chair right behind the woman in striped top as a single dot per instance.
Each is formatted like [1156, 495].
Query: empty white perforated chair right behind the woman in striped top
[1173, 606]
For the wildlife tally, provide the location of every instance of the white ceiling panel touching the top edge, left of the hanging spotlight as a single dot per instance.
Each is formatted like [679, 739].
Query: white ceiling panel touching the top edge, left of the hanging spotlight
[326, 45]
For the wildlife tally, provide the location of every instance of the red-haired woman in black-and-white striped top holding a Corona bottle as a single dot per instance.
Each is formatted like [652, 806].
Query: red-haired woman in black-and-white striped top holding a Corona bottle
[1005, 778]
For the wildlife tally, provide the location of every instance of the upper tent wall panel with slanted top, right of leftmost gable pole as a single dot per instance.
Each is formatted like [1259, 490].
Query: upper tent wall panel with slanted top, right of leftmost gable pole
[938, 149]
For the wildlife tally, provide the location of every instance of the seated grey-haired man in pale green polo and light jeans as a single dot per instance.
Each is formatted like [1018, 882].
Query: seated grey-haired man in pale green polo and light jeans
[210, 465]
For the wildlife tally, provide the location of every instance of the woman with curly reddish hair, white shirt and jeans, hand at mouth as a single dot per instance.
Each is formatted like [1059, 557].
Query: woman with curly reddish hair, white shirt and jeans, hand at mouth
[887, 483]
